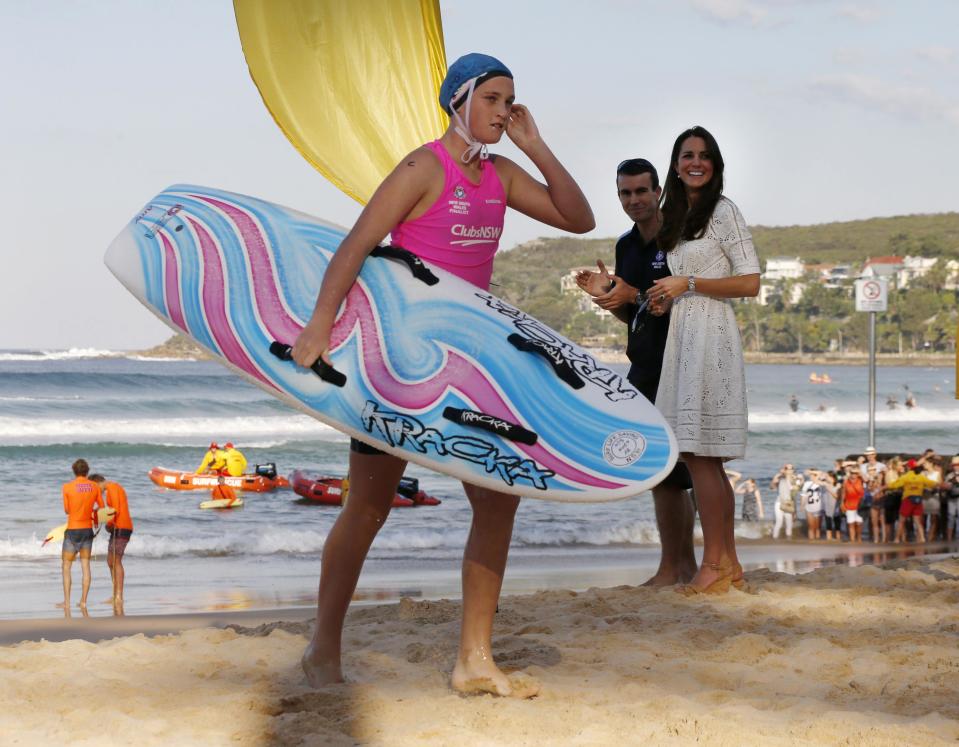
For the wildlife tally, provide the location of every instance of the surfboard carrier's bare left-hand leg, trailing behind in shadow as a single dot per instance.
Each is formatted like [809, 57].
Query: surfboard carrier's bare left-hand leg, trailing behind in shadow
[373, 481]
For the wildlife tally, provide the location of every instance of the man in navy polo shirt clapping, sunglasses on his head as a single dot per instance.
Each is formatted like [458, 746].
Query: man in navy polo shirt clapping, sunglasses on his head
[639, 264]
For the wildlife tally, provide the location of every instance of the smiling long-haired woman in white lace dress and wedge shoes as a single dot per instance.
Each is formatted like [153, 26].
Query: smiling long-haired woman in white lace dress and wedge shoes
[702, 392]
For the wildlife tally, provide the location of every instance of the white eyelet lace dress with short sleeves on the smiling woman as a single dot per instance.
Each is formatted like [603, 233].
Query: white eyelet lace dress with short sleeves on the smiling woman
[702, 391]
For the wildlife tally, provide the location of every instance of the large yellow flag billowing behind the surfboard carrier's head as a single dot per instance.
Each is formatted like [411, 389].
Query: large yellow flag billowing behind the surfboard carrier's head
[353, 85]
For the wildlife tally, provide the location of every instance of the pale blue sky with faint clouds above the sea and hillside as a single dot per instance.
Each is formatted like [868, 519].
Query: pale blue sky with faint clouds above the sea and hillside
[825, 110]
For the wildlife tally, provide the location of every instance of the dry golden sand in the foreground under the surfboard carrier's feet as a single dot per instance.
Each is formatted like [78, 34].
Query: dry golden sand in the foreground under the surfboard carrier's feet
[862, 655]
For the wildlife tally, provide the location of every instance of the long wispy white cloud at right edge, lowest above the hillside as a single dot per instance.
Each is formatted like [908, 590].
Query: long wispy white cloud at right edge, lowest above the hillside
[916, 103]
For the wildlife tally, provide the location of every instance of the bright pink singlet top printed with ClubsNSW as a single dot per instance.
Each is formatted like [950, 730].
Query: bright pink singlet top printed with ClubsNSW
[460, 231]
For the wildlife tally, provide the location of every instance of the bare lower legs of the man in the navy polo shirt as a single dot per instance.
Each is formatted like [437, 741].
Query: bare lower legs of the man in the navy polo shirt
[675, 515]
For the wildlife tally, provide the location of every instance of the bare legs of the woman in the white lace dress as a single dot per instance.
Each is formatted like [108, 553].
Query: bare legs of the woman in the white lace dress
[717, 508]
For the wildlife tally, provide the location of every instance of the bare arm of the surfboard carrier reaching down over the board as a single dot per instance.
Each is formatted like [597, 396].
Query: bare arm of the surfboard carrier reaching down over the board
[392, 202]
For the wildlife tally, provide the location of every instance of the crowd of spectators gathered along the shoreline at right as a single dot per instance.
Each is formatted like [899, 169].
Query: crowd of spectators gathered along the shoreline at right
[902, 499]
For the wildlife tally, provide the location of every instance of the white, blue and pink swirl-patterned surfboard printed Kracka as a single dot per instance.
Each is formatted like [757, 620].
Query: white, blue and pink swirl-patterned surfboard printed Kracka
[427, 366]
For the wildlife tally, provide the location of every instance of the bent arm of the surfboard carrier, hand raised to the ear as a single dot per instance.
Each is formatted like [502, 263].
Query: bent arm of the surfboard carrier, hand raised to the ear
[560, 202]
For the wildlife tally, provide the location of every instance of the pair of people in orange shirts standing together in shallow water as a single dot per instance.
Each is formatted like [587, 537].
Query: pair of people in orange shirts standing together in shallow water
[83, 497]
